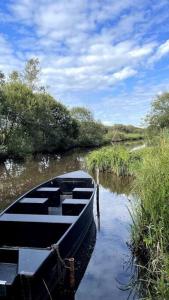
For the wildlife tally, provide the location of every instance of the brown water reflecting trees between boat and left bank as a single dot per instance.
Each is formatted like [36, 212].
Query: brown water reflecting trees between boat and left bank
[18, 177]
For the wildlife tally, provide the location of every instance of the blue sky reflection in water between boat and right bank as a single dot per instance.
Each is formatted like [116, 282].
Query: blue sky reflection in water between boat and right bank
[107, 272]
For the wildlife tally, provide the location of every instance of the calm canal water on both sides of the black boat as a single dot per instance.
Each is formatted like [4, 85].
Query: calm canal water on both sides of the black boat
[108, 272]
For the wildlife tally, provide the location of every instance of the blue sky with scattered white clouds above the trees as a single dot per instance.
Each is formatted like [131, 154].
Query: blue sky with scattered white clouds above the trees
[109, 56]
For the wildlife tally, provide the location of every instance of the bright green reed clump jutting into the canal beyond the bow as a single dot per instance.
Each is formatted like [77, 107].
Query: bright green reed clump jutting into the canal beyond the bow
[116, 159]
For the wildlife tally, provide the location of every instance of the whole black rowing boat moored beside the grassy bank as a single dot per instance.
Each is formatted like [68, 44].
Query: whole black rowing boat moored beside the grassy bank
[41, 232]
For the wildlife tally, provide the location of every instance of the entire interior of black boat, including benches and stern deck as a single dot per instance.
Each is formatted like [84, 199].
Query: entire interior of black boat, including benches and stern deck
[38, 220]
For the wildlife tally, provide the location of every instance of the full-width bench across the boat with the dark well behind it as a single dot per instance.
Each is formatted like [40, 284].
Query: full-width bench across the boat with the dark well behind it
[37, 231]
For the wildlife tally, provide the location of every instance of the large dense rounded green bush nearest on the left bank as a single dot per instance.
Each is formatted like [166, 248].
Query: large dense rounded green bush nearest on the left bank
[32, 121]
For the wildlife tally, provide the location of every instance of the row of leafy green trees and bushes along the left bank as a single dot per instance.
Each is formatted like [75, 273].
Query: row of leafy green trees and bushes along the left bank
[32, 121]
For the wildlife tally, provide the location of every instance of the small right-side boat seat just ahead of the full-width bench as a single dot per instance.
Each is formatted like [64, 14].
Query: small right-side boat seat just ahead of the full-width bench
[73, 206]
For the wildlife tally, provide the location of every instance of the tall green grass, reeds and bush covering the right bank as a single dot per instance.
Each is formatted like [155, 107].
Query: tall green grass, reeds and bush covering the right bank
[149, 167]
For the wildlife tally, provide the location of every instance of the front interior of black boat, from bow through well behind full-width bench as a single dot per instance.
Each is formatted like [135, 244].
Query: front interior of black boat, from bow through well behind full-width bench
[43, 215]
